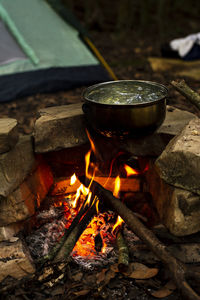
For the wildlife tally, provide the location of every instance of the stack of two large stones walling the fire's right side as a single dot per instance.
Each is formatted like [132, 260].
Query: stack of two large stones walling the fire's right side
[175, 181]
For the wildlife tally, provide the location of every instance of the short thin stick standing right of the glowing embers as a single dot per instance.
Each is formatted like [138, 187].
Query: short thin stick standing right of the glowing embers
[123, 256]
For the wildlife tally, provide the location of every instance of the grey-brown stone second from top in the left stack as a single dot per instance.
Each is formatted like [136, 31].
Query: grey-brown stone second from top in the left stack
[15, 165]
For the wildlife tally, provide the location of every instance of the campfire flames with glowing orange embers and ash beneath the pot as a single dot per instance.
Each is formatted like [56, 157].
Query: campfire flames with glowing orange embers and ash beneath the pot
[87, 229]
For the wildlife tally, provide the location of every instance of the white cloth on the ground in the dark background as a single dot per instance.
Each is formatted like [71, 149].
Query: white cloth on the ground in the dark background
[184, 45]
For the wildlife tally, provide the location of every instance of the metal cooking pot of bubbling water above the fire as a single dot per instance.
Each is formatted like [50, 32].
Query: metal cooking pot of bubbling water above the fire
[125, 107]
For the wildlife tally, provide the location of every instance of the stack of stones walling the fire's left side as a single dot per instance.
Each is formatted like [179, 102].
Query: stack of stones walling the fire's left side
[24, 182]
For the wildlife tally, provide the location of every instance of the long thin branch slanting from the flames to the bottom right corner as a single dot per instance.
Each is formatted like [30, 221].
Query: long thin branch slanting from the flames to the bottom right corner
[179, 272]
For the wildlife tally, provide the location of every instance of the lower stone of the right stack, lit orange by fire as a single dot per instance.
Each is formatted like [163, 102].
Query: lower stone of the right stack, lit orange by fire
[179, 209]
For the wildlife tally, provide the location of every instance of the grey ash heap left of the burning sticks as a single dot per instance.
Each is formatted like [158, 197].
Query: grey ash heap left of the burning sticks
[42, 240]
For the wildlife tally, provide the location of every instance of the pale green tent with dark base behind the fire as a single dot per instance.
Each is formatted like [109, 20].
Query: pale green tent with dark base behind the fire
[43, 51]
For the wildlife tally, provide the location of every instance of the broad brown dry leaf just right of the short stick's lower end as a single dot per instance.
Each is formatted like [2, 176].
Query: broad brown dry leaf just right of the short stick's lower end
[141, 271]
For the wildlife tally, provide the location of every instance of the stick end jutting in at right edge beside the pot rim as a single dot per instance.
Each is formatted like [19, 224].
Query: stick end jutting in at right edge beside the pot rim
[187, 92]
